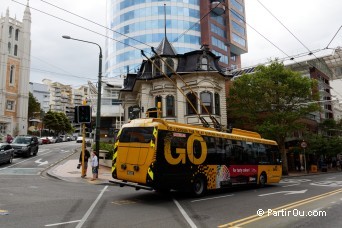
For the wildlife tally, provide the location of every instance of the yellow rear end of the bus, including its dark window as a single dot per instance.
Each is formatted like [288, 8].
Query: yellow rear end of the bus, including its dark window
[135, 153]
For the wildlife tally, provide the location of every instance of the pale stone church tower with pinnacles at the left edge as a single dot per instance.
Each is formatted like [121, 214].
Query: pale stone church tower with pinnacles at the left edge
[15, 48]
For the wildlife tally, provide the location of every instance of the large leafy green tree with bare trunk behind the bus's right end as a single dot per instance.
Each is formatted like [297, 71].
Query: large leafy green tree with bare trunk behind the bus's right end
[272, 101]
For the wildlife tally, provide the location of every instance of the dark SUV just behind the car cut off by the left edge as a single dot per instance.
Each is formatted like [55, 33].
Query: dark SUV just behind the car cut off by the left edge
[25, 145]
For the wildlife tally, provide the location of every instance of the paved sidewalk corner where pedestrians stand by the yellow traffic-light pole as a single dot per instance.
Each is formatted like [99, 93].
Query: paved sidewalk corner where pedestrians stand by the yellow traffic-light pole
[67, 170]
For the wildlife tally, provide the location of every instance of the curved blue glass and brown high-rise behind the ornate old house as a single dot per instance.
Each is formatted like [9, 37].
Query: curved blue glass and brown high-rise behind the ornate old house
[139, 24]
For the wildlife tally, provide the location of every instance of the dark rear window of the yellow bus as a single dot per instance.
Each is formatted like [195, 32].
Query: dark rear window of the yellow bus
[136, 134]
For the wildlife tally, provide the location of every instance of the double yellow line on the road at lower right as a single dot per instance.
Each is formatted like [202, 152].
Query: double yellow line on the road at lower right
[255, 217]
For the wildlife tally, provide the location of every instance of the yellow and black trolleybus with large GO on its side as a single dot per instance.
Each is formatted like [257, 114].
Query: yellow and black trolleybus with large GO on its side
[158, 155]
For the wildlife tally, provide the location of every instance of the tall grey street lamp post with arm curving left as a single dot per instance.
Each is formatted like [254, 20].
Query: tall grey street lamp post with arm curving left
[98, 111]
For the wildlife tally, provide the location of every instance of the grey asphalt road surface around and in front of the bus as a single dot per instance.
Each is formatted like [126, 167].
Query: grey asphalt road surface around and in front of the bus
[32, 199]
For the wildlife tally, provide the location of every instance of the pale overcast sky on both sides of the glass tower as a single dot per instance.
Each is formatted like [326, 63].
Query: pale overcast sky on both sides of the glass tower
[313, 22]
